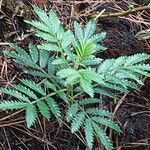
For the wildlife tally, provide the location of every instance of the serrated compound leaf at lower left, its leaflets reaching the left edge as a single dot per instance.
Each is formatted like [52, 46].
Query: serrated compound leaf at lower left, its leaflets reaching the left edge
[33, 98]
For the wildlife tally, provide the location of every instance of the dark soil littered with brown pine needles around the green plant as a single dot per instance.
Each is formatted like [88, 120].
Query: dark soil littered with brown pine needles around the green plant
[133, 113]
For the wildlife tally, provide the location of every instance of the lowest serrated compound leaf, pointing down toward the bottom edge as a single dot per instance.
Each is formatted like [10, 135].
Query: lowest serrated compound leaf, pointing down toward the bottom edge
[91, 119]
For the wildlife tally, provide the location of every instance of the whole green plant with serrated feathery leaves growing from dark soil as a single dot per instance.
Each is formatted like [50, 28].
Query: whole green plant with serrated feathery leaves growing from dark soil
[65, 68]
